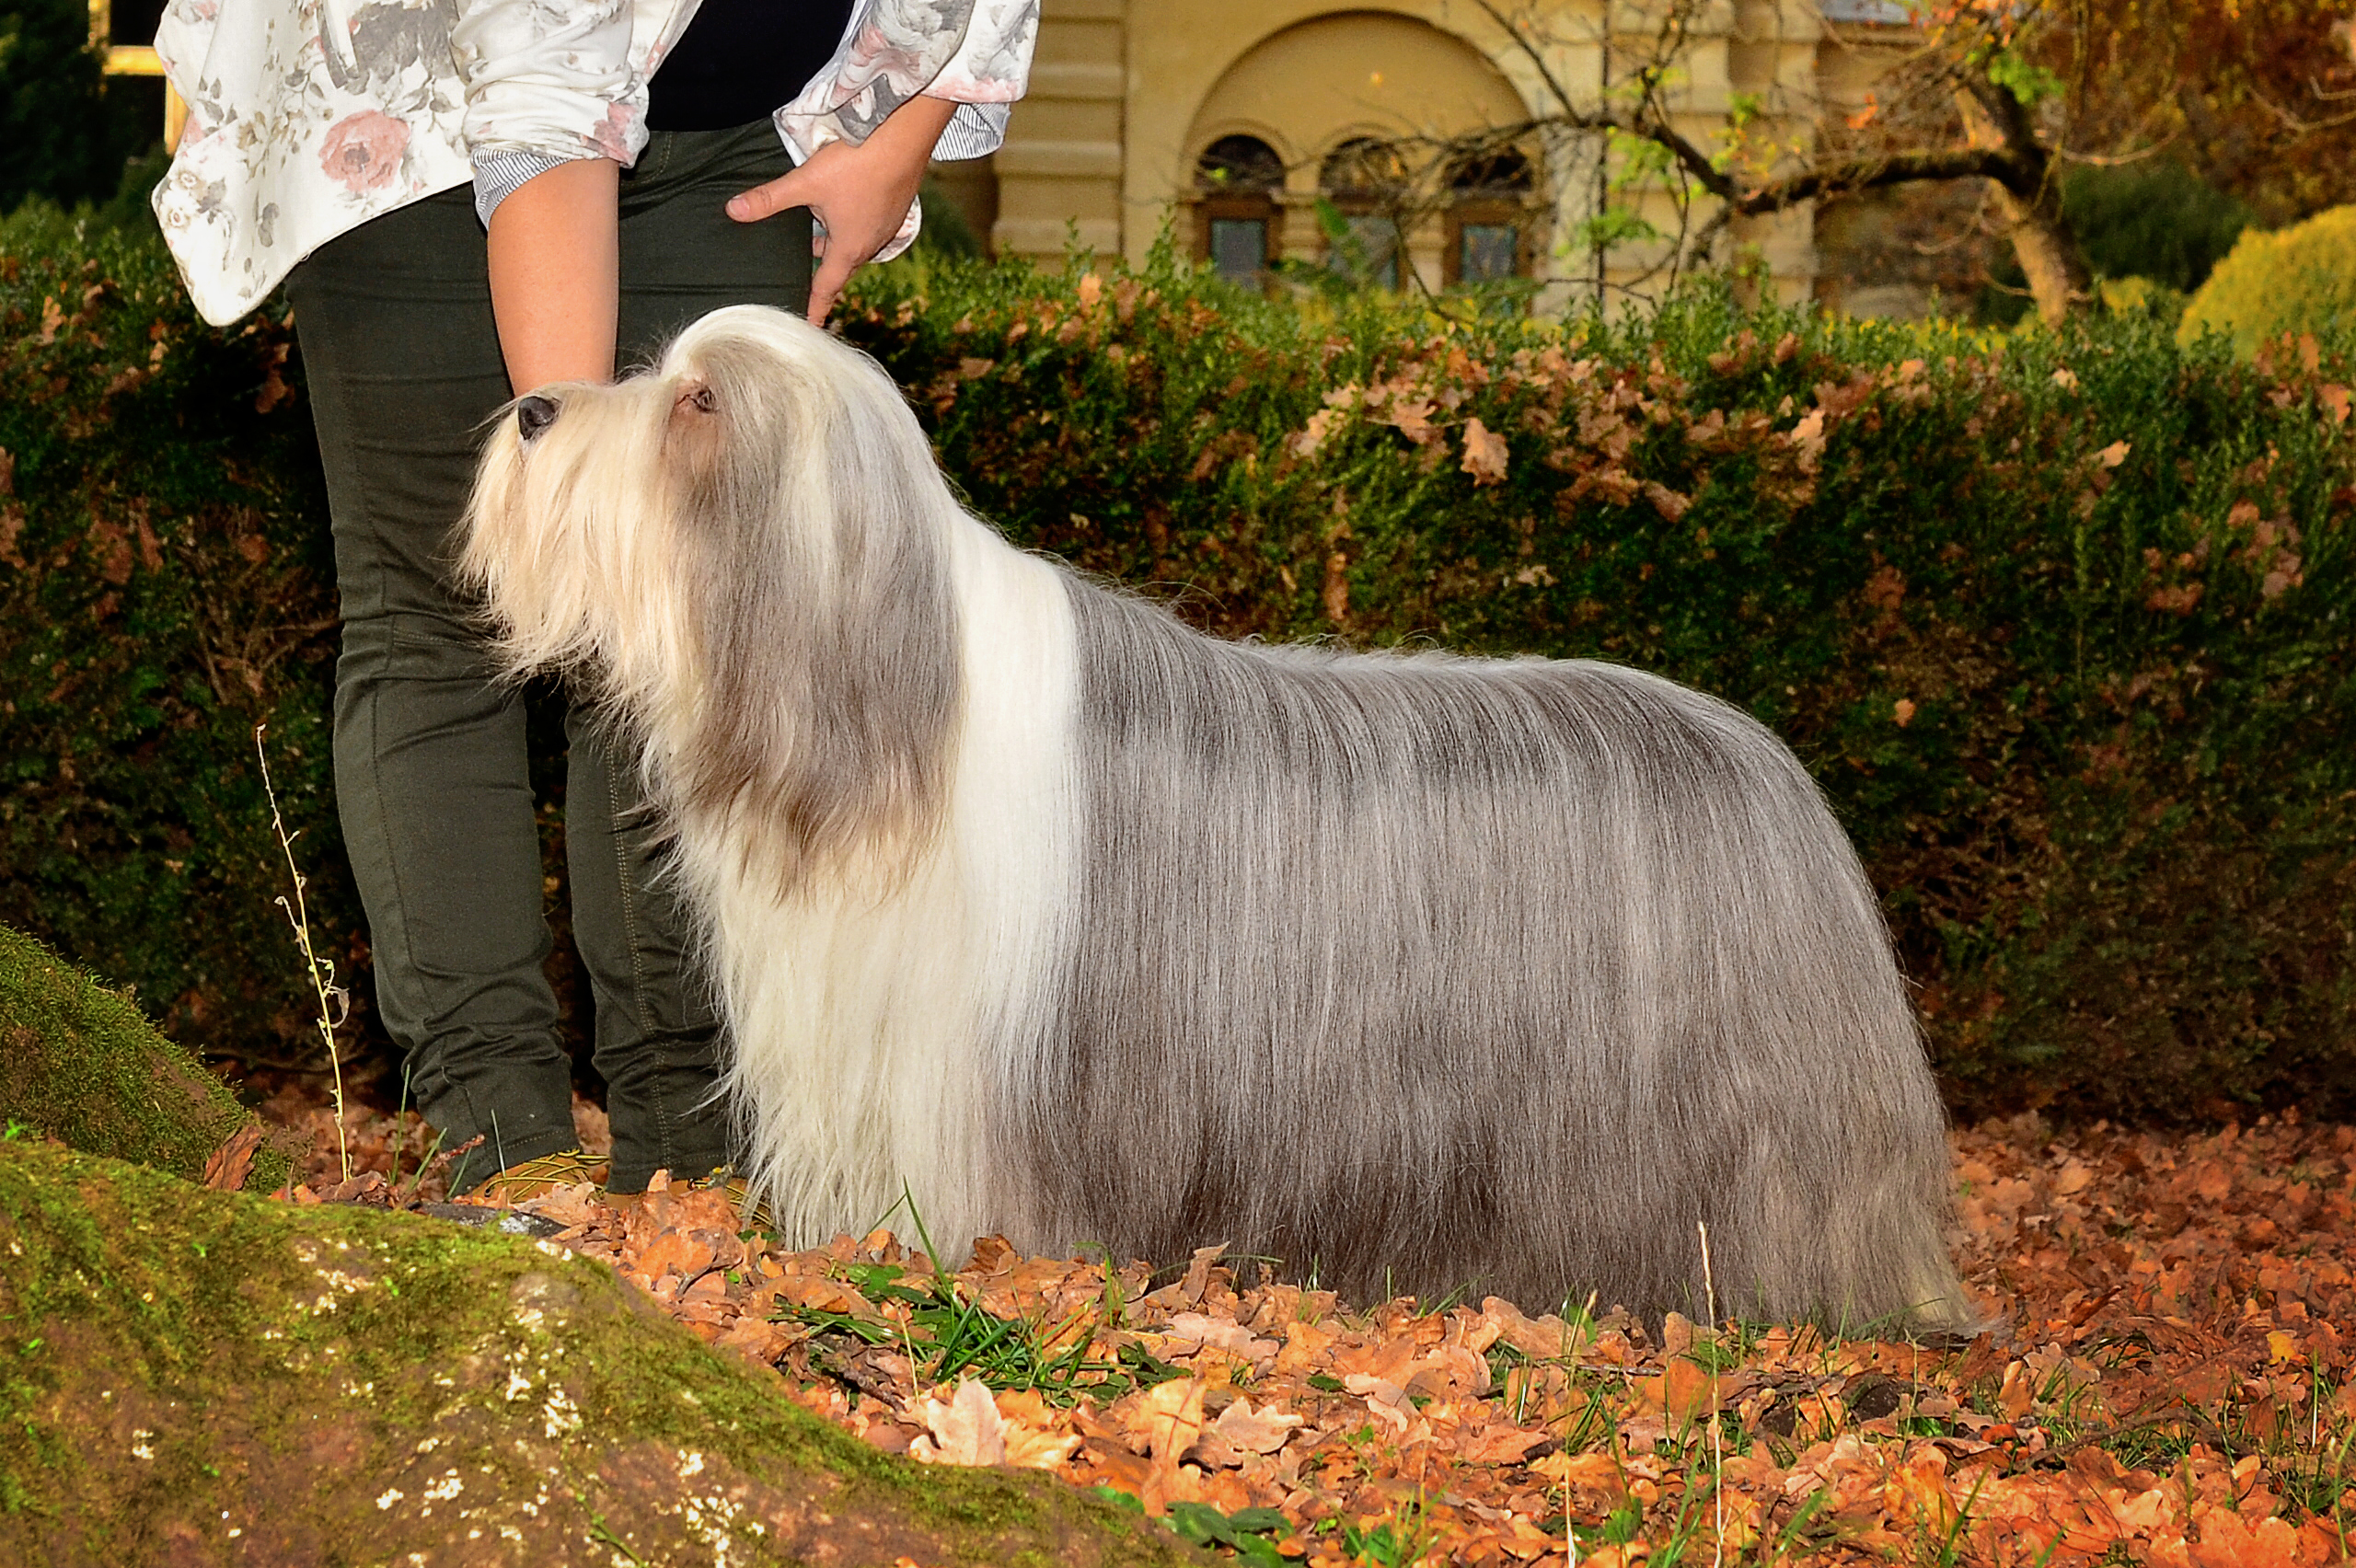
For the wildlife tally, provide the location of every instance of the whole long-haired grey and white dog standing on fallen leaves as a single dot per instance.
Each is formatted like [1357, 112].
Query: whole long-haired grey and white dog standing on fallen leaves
[1412, 971]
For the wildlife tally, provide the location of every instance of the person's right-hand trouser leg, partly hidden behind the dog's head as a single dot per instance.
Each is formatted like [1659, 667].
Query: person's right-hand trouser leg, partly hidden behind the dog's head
[656, 1032]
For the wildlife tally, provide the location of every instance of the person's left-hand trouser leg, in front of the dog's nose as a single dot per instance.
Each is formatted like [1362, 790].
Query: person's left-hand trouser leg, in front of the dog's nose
[430, 757]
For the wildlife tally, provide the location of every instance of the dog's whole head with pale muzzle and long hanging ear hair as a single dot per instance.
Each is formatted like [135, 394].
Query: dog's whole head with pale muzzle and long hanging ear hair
[743, 550]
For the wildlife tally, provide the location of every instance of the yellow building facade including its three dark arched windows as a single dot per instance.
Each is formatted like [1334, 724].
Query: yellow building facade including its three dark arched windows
[1233, 119]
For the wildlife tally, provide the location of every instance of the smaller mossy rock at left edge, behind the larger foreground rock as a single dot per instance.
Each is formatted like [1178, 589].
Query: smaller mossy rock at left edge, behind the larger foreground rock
[86, 1068]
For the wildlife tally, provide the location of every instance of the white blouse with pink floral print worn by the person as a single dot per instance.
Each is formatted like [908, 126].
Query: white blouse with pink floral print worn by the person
[312, 117]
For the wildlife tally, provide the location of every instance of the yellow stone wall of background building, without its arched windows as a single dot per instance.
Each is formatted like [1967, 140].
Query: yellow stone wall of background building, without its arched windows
[1127, 93]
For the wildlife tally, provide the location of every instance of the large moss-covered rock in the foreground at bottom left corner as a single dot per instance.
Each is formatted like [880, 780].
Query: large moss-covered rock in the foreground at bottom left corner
[211, 1378]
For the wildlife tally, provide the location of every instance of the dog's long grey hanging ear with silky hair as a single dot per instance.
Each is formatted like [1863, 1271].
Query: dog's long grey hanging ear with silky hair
[830, 623]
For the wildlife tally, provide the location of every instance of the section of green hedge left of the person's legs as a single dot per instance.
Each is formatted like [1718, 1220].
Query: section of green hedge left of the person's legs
[164, 590]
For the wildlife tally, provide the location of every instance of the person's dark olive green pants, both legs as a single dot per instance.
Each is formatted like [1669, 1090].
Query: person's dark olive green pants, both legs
[430, 757]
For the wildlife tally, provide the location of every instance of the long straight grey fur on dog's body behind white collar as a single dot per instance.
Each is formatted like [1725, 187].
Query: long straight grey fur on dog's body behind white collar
[1434, 974]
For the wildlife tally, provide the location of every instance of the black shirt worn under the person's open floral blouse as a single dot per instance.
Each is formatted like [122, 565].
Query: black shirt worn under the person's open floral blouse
[743, 60]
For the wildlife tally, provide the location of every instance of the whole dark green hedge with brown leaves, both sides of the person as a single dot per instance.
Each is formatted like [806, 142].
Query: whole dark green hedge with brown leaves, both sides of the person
[2060, 623]
